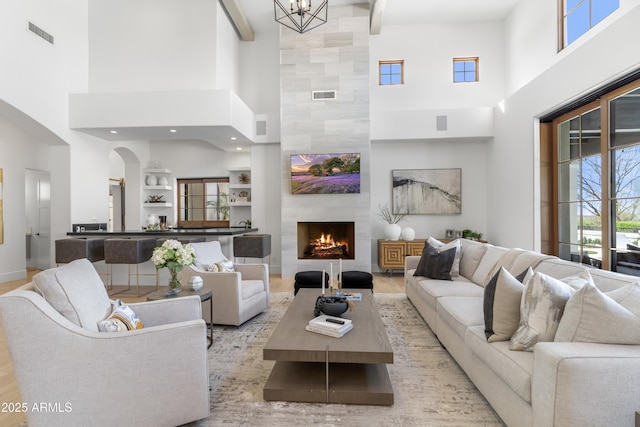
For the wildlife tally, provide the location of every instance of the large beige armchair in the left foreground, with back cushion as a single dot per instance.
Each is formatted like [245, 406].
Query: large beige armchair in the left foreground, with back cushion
[156, 376]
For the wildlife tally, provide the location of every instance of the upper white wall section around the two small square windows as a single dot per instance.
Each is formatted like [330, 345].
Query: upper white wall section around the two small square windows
[428, 52]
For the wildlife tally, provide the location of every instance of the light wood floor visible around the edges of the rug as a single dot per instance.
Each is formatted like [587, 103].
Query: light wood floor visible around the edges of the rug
[383, 283]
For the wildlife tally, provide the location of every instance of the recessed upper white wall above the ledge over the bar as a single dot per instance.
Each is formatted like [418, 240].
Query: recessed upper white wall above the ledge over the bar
[147, 45]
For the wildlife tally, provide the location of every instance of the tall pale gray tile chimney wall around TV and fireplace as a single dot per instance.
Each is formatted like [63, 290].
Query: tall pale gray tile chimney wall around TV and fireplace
[334, 56]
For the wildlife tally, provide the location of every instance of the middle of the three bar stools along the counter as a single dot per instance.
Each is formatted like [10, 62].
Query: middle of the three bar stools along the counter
[130, 251]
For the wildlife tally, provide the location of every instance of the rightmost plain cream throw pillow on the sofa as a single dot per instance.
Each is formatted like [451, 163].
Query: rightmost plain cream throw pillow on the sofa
[606, 318]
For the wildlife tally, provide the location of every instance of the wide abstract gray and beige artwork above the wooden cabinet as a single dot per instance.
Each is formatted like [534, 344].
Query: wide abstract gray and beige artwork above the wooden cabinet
[427, 191]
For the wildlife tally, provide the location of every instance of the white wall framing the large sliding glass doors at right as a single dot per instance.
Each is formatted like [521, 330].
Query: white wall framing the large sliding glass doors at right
[513, 156]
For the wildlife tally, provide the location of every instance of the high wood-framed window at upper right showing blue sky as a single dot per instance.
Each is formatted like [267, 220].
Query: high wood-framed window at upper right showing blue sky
[579, 16]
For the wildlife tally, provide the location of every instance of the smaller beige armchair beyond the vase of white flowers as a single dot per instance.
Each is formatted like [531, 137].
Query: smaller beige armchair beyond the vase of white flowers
[238, 295]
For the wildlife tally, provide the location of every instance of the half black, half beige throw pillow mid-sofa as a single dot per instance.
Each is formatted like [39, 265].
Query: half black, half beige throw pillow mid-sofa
[502, 297]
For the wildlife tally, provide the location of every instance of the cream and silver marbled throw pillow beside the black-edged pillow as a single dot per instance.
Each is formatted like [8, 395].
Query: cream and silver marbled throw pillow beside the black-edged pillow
[541, 308]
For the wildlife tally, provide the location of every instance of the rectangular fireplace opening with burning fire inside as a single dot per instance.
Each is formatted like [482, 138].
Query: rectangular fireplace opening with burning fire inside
[326, 240]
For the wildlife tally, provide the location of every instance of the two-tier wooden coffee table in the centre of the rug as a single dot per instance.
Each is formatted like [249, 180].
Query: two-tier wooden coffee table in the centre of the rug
[312, 367]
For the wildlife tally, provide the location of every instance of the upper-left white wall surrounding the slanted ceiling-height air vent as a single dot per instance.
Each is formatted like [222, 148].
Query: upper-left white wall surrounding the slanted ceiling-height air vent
[36, 77]
